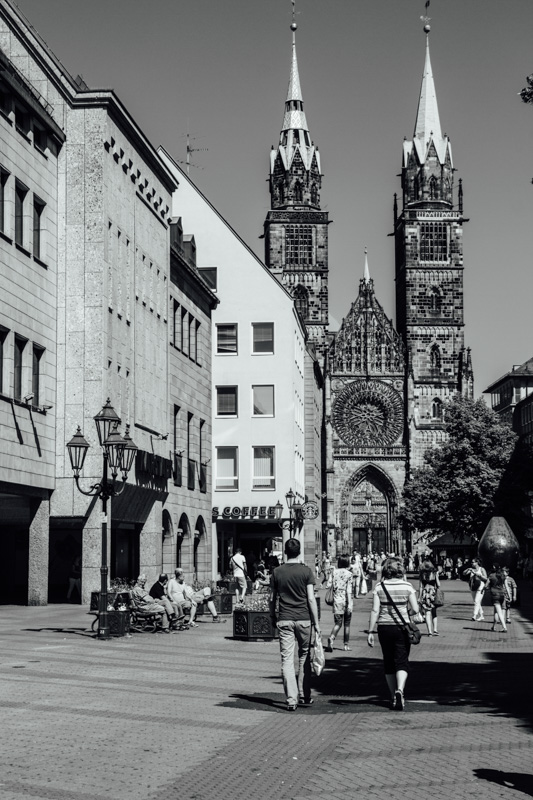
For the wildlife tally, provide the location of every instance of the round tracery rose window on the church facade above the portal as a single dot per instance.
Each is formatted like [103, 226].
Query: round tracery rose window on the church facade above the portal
[368, 414]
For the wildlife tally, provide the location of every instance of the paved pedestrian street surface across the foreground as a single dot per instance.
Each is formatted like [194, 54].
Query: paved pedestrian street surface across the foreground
[200, 716]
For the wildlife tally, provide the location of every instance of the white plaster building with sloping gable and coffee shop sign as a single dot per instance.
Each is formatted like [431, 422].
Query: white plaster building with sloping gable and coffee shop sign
[259, 347]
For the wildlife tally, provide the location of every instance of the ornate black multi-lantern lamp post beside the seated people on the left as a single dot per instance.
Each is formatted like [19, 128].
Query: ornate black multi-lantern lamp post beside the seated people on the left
[118, 456]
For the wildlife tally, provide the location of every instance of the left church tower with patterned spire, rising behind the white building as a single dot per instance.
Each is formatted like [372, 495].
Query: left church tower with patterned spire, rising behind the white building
[295, 229]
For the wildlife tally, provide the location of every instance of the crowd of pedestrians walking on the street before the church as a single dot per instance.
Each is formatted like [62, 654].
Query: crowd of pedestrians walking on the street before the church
[397, 607]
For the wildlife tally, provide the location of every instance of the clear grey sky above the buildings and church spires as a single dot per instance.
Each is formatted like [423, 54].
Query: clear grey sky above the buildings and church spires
[221, 69]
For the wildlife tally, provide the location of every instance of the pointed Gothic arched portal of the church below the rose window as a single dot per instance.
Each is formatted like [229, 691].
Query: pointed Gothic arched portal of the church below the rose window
[369, 504]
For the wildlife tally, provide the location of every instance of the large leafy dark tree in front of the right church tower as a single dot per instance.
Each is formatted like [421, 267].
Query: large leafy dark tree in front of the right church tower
[454, 492]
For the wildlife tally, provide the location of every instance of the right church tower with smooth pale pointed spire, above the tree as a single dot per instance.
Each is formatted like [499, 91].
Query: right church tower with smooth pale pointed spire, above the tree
[429, 275]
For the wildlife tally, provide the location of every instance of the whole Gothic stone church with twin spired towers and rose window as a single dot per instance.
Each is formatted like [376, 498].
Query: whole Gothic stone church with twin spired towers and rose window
[385, 384]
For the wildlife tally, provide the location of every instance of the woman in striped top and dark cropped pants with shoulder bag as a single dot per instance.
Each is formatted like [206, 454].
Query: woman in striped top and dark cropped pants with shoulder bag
[393, 597]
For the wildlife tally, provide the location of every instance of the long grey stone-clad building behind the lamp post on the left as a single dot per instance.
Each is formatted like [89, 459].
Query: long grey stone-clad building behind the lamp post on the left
[89, 315]
